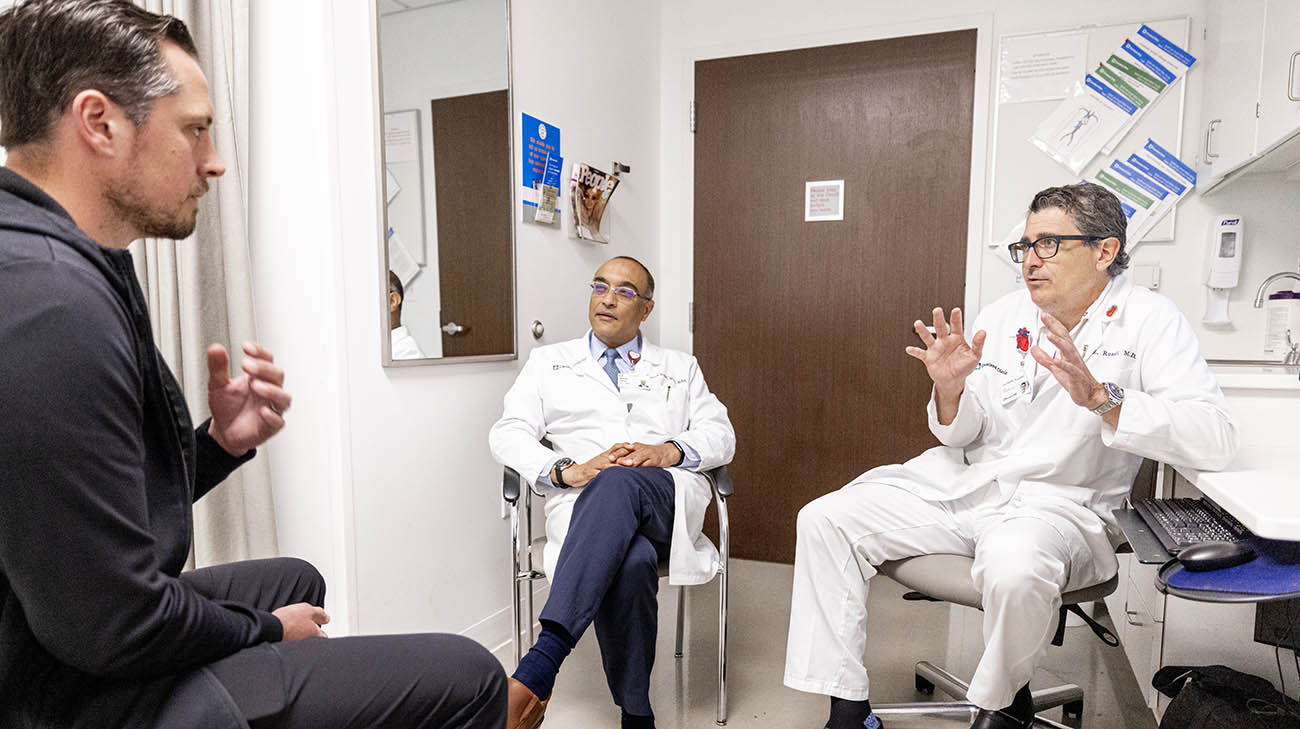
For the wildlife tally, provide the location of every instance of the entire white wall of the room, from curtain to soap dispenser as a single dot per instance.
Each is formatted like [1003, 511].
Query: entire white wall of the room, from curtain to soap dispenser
[384, 479]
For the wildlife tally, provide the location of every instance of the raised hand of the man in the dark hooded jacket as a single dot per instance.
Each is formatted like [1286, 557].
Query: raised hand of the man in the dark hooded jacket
[249, 410]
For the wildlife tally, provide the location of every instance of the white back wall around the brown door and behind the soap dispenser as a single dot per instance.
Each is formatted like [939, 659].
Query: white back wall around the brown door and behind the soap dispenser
[730, 28]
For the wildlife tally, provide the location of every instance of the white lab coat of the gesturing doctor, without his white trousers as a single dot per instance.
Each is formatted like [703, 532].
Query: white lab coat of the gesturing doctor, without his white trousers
[1039, 444]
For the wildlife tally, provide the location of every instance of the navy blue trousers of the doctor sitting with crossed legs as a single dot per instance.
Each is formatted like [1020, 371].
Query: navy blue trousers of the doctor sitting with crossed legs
[609, 575]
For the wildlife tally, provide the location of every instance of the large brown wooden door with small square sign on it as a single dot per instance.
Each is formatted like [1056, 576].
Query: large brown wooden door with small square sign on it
[800, 327]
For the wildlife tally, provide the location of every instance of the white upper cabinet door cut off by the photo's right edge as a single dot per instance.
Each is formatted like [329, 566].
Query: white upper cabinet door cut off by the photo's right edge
[1280, 75]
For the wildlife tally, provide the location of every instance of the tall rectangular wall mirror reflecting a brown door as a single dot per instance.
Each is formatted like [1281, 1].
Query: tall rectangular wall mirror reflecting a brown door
[448, 241]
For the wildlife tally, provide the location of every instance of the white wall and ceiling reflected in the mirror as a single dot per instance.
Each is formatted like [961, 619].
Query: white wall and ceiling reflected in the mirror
[436, 53]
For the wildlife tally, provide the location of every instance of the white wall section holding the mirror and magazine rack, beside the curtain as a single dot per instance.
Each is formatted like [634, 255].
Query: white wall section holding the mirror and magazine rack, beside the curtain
[383, 478]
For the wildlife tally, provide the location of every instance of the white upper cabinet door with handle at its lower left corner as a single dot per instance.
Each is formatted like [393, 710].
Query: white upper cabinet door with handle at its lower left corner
[1234, 40]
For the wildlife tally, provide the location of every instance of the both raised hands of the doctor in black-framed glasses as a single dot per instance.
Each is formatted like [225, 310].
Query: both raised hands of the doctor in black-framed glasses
[950, 359]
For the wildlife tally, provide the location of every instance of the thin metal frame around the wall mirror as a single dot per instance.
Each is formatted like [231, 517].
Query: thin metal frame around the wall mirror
[382, 188]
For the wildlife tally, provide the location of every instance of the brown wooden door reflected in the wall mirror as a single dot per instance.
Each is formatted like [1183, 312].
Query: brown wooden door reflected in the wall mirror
[471, 163]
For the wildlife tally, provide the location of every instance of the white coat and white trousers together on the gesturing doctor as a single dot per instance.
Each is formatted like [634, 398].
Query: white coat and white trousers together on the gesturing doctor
[1011, 452]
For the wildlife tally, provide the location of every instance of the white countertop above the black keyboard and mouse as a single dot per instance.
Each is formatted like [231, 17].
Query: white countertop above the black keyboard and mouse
[1260, 488]
